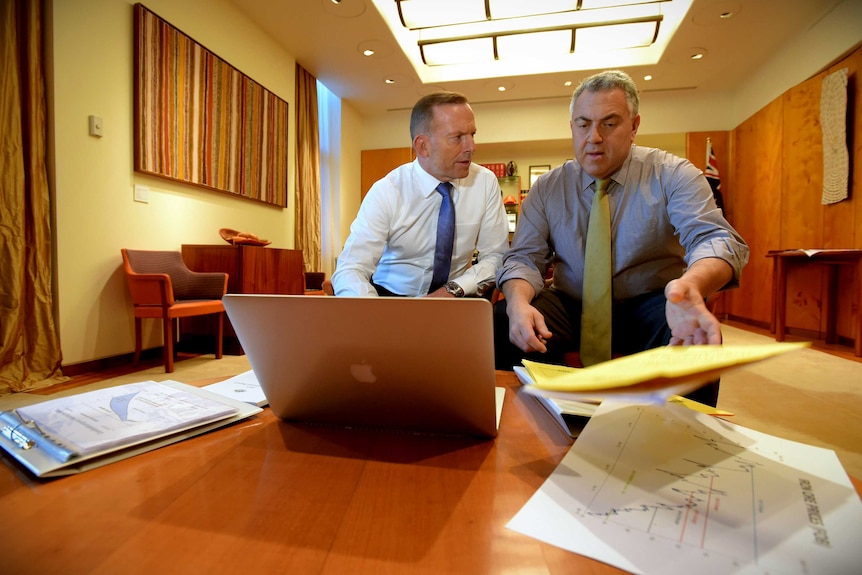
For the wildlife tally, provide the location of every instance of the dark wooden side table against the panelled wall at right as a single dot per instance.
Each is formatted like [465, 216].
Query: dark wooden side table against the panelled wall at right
[831, 260]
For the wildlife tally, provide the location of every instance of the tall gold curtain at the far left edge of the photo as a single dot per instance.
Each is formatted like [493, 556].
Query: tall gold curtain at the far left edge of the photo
[29, 346]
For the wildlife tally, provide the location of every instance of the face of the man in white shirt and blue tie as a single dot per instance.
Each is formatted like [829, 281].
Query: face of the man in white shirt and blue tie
[446, 152]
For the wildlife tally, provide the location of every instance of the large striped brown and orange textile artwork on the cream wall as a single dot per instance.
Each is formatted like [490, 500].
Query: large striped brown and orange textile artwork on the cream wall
[201, 121]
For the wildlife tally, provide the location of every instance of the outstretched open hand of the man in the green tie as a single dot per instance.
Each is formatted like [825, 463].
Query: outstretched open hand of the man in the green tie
[689, 320]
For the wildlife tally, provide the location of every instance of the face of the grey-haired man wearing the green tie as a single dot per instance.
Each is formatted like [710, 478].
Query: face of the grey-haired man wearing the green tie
[603, 131]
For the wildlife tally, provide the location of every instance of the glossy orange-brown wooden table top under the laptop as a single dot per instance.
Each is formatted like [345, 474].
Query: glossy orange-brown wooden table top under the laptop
[266, 496]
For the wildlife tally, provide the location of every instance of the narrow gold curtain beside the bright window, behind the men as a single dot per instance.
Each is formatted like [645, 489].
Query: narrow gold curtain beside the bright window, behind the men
[307, 171]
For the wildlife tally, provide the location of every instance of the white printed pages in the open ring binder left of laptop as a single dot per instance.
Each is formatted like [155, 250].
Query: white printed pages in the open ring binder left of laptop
[99, 420]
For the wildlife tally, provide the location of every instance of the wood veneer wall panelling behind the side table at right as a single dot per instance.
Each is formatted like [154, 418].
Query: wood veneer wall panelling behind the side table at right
[772, 188]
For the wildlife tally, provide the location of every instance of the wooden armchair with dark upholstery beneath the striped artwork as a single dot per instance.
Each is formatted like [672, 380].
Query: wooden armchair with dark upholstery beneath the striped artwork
[162, 287]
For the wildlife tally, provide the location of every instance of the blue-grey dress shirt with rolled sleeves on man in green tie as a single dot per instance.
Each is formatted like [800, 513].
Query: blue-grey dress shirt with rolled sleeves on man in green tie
[663, 219]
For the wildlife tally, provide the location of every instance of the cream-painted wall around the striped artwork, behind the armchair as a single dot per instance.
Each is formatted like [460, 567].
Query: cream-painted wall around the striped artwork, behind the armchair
[93, 178]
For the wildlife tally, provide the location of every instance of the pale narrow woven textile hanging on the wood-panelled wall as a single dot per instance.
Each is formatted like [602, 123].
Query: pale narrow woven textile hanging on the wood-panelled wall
[833, 121]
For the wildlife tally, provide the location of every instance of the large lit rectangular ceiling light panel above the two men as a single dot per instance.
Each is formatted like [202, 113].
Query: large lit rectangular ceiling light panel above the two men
[453, 40]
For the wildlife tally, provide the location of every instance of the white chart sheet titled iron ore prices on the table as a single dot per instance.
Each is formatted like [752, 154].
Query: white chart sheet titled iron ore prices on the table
[667, 490]
